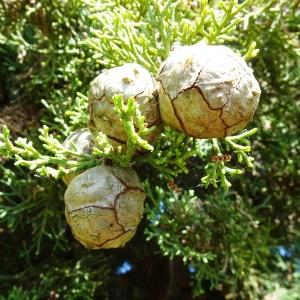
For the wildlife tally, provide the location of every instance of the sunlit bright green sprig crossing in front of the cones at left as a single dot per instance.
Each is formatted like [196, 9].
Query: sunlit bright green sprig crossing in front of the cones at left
[64, 161]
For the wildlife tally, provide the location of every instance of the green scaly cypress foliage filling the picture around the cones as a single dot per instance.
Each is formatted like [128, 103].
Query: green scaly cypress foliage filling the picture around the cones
[51, 50]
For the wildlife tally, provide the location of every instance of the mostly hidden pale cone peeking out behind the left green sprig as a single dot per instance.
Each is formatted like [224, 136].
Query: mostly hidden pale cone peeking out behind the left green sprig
[81, 142]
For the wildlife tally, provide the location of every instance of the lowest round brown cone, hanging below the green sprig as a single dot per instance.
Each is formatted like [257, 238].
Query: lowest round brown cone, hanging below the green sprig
[104, 206]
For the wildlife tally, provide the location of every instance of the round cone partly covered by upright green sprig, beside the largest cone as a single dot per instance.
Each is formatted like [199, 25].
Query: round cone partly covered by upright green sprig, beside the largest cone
[129, 80]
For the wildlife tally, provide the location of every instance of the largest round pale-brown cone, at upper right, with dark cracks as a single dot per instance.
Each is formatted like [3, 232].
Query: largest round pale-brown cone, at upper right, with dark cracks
[206, 91]
